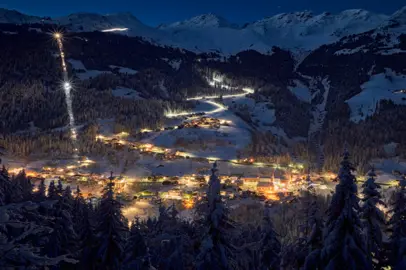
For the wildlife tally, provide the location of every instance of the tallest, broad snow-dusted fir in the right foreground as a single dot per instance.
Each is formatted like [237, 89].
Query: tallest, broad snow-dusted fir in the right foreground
[344, 246]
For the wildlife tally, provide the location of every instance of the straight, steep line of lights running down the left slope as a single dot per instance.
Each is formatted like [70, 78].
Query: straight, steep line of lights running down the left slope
[67, 88]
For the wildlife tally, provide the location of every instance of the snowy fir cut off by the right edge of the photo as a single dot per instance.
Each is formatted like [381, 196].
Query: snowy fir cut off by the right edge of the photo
[397, 224]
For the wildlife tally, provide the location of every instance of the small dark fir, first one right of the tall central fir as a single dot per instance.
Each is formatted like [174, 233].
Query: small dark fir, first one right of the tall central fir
[270, 247]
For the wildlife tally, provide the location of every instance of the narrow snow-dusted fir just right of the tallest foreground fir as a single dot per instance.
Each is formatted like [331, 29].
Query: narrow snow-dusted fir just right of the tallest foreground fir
[373, 218]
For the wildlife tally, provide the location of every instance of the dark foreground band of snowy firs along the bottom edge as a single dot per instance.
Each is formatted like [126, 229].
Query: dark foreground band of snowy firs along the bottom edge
[55, 227]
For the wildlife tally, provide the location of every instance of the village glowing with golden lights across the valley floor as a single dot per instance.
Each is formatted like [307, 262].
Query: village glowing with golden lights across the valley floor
[282, 185]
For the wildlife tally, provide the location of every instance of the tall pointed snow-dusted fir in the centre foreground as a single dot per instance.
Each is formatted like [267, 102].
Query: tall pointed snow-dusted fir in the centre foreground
[215, 250]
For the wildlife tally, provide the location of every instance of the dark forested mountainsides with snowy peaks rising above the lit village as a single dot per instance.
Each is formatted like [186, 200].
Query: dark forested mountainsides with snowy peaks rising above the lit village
[346, 86]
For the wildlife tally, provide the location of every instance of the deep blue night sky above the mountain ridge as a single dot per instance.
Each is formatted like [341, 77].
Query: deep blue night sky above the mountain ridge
[154, 12]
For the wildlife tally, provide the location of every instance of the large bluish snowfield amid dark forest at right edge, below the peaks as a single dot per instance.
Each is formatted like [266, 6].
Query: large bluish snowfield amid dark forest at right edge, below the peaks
[379, 87]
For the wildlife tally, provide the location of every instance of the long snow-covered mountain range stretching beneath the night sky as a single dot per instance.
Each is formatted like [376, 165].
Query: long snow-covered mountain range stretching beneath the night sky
[209, 32]
